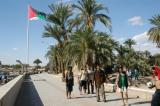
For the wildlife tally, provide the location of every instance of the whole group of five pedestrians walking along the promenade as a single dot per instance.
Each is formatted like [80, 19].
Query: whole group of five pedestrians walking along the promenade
[90, 80]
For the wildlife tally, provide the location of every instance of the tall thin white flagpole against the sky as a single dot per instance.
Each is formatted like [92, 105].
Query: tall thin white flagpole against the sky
[28, 37]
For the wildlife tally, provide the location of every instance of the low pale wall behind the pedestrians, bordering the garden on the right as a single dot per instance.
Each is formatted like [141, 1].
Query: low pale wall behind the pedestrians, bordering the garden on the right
[142, 93]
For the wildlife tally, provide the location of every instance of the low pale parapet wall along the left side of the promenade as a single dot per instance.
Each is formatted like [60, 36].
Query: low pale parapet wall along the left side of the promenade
[9, 91]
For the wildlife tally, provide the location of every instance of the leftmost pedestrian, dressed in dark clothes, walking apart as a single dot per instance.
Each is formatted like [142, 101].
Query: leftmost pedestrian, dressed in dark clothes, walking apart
[69, 82]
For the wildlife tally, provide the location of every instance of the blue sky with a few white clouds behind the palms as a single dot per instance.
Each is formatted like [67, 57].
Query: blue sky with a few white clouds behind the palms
[129, 20]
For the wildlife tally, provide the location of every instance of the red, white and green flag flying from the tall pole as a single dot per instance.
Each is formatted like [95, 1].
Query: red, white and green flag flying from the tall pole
[35, 15]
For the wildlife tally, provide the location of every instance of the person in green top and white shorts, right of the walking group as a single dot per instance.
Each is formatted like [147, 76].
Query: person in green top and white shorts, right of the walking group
[122, 84]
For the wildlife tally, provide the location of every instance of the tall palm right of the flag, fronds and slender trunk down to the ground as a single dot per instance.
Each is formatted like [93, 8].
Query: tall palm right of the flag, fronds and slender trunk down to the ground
[59, 28]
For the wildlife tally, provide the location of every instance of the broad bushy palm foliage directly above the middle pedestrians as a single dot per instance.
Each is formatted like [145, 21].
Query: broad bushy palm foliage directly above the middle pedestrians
[88, 47]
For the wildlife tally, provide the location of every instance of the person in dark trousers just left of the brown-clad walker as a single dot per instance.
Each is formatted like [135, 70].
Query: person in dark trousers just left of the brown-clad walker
[90, 82]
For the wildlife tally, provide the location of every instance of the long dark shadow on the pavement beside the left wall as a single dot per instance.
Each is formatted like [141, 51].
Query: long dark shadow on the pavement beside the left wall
[28, 95]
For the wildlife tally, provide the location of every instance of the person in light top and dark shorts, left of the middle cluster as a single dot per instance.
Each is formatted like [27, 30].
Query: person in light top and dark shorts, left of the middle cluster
[83, 80]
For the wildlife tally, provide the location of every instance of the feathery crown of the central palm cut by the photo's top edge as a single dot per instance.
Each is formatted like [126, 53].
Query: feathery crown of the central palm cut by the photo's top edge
[90, 13]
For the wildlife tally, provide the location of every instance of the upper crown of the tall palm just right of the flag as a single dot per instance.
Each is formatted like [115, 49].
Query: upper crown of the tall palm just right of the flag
[60, 16]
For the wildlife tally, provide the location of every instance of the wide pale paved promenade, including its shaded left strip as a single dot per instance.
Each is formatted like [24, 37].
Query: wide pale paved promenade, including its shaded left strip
[48, 90]
